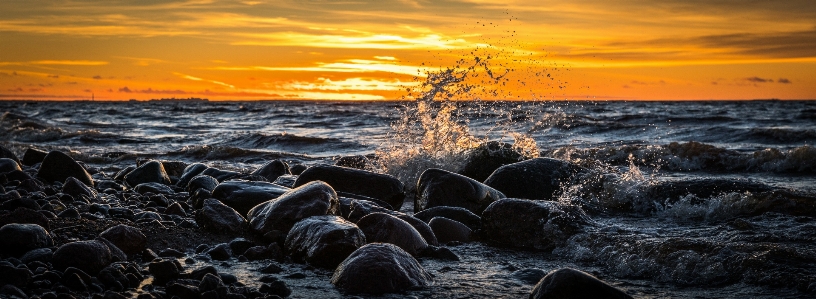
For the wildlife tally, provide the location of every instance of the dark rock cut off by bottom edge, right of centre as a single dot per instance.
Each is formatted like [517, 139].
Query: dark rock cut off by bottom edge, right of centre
[568, 283]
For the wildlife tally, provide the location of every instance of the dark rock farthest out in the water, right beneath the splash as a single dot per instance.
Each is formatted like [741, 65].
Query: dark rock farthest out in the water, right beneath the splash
[488, 157]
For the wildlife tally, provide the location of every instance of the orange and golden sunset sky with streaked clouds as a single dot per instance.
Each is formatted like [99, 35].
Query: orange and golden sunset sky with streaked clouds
[375, 50]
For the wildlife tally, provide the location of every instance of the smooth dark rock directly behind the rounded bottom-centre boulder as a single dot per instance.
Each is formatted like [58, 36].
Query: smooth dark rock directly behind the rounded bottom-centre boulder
[379, 227]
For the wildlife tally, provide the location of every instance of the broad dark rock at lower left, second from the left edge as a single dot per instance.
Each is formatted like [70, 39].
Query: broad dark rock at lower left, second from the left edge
[88, 256]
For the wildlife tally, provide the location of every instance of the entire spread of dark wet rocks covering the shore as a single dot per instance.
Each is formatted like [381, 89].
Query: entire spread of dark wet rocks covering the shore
[339, 218]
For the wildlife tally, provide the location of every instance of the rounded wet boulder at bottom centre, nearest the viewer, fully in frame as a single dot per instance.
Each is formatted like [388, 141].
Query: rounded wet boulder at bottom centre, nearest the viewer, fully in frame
[393, 270]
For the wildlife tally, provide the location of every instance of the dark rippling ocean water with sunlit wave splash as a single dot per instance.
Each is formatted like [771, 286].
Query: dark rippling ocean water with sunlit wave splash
[733, 243]
